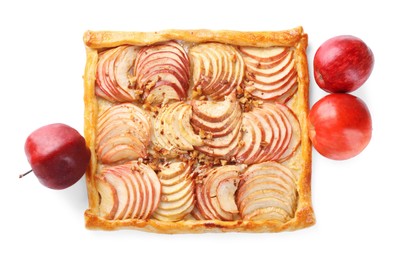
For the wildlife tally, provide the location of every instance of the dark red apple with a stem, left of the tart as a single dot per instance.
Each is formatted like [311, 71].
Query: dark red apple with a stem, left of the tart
[58, 155]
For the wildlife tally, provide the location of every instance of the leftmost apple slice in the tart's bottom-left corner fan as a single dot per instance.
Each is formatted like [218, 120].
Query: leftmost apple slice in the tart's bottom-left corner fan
[109, 201]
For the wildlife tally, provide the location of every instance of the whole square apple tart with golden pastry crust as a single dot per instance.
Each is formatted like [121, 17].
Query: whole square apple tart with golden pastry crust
[198, 131]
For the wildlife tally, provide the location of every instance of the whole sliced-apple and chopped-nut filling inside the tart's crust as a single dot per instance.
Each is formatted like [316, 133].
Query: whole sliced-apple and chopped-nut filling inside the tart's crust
[205, 135]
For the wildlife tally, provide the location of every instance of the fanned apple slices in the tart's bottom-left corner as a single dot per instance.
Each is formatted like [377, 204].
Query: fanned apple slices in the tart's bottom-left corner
[130, 190]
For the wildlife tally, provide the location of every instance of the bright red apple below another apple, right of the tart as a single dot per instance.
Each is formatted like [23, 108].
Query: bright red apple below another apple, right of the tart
[340, 126]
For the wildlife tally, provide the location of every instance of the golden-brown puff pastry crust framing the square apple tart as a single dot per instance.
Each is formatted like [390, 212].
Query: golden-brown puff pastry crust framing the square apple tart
[299, 162]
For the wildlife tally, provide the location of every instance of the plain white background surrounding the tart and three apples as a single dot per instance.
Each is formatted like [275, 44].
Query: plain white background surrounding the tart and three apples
[42, 58]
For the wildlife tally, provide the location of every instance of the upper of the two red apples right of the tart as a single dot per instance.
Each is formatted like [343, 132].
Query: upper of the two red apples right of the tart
[342, 64]
